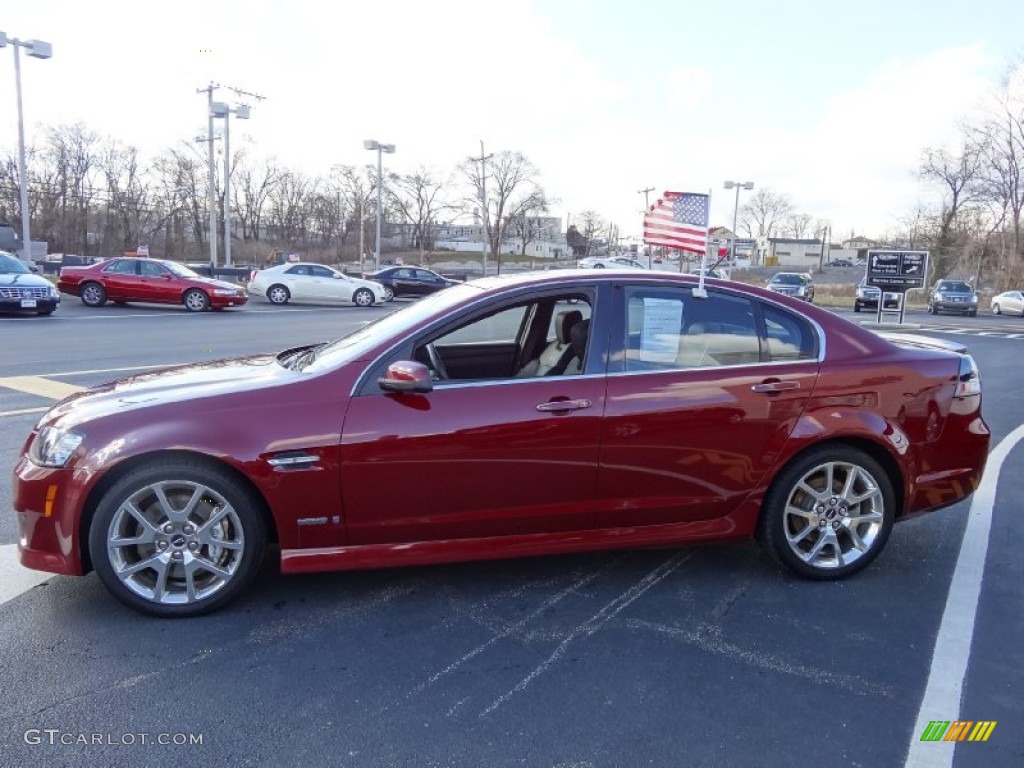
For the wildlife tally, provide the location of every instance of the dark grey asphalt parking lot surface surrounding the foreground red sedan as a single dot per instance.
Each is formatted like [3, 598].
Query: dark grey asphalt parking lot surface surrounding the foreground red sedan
[705, 656]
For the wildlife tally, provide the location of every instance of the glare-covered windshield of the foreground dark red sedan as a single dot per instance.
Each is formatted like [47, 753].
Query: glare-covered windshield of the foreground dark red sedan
[360, 343]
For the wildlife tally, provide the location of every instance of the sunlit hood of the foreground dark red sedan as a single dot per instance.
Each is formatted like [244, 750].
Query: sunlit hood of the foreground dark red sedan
[179, 385]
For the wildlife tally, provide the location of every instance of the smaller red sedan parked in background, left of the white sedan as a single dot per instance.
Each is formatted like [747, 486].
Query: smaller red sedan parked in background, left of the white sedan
[134, 279]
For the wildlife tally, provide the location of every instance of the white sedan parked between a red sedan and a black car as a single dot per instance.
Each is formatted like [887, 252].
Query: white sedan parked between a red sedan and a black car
[316, 284]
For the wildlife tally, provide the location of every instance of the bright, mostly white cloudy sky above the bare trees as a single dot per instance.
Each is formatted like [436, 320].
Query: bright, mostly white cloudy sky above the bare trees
[831, 104]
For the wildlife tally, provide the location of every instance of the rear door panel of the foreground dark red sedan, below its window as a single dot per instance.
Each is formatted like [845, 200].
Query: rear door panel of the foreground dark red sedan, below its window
[690, 445]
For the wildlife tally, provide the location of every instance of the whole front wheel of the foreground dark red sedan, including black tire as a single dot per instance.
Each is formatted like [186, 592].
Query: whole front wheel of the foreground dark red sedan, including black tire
[182, 479]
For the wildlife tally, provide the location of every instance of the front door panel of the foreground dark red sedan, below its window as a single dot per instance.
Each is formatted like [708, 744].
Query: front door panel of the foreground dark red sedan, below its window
[473, 460]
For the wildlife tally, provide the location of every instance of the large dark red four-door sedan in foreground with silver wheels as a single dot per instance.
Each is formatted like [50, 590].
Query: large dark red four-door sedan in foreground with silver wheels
[530, 415]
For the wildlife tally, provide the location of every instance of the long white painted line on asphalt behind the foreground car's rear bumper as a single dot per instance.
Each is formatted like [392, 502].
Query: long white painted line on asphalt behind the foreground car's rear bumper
[953, 647]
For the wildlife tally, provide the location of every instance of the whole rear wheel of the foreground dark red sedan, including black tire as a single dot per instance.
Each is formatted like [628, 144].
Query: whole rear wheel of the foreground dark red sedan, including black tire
[828, 519]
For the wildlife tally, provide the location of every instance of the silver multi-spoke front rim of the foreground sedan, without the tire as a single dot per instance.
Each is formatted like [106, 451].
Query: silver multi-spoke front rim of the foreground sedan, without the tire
[176, 542]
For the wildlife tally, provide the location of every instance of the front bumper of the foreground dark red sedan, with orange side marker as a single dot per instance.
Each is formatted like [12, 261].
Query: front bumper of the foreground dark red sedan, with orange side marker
[49, 522]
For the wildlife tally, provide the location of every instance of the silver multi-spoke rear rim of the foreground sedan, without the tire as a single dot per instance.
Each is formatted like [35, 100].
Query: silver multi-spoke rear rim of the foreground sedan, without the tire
[834, 516]
